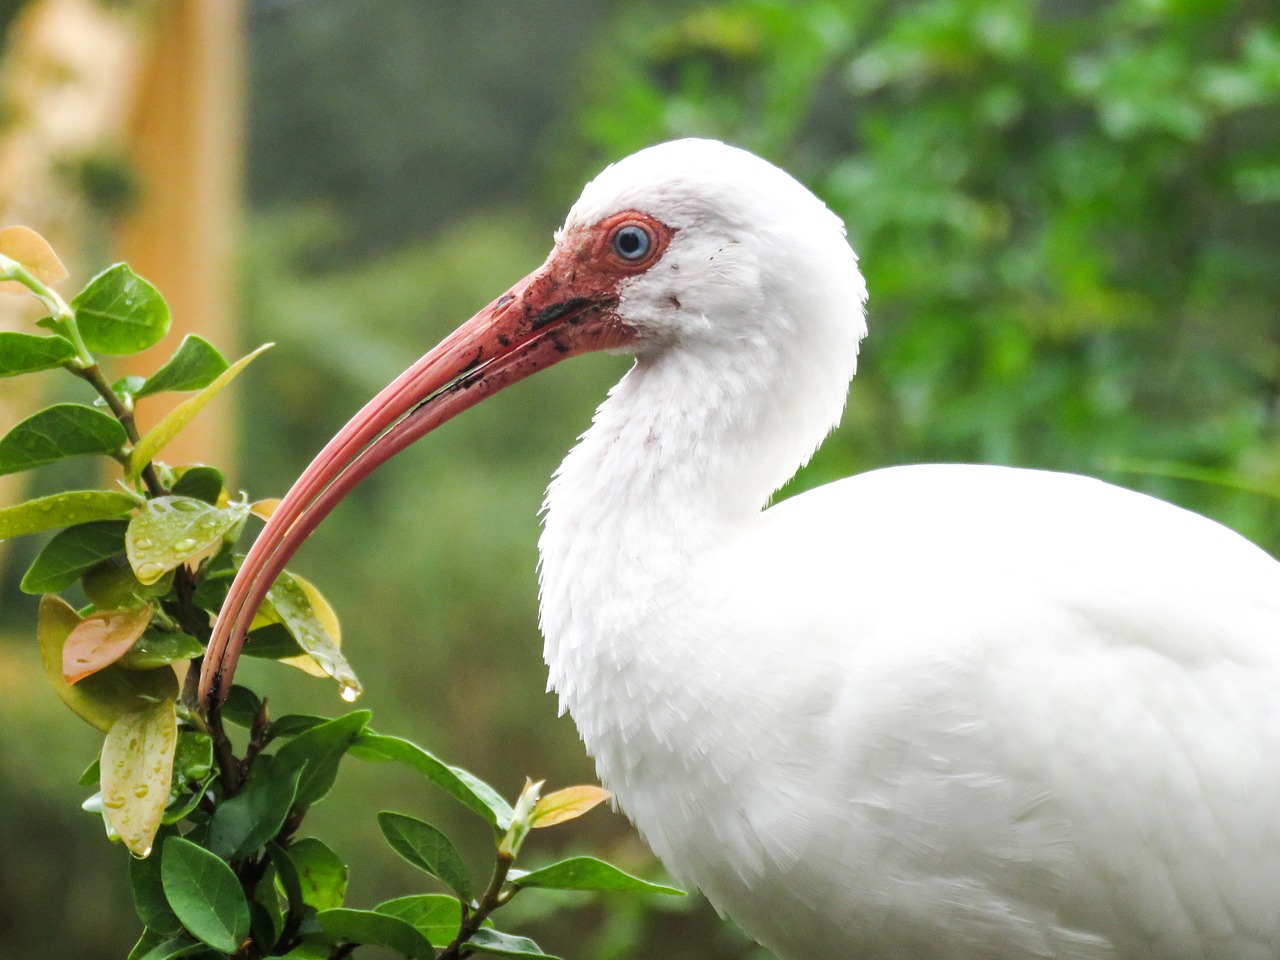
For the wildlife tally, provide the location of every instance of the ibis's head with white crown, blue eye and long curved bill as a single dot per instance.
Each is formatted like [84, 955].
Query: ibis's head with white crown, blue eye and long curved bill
[691, 245]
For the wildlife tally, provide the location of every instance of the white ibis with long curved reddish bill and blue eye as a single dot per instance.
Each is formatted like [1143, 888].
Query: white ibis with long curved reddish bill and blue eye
[926, 712]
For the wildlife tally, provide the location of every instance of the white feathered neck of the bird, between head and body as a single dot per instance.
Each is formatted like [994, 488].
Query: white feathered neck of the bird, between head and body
[680, 459]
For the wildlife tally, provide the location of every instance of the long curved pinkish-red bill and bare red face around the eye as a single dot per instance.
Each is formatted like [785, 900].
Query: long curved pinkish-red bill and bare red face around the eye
[565, 308]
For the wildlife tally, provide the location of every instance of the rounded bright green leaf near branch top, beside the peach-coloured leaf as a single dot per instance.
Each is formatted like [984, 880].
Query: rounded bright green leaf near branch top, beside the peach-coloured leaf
[121, 313]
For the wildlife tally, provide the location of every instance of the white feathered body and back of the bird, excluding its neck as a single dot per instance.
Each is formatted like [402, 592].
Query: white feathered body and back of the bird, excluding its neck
[1009, 714]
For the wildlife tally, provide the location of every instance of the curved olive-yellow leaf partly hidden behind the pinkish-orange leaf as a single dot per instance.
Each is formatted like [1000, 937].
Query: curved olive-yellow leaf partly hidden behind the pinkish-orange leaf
[102, 698]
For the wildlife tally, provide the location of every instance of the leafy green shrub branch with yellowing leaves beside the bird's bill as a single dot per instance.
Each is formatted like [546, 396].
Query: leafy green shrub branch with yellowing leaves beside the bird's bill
[222, 867]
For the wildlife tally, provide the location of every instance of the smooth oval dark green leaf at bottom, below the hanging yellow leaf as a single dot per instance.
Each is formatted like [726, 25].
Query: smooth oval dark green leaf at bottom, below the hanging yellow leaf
[205, 894]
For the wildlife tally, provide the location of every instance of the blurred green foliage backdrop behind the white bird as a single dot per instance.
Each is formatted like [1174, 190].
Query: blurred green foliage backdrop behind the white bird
[1069, 220]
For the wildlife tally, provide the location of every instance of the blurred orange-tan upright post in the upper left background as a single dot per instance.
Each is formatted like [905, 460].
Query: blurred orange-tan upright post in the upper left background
[186, 145]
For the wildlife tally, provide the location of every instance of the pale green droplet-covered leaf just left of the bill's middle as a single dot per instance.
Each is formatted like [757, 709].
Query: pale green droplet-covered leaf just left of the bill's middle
[171, 531]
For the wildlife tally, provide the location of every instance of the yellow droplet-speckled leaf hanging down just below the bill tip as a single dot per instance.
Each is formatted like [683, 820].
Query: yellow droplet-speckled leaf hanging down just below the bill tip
[138, 766]
